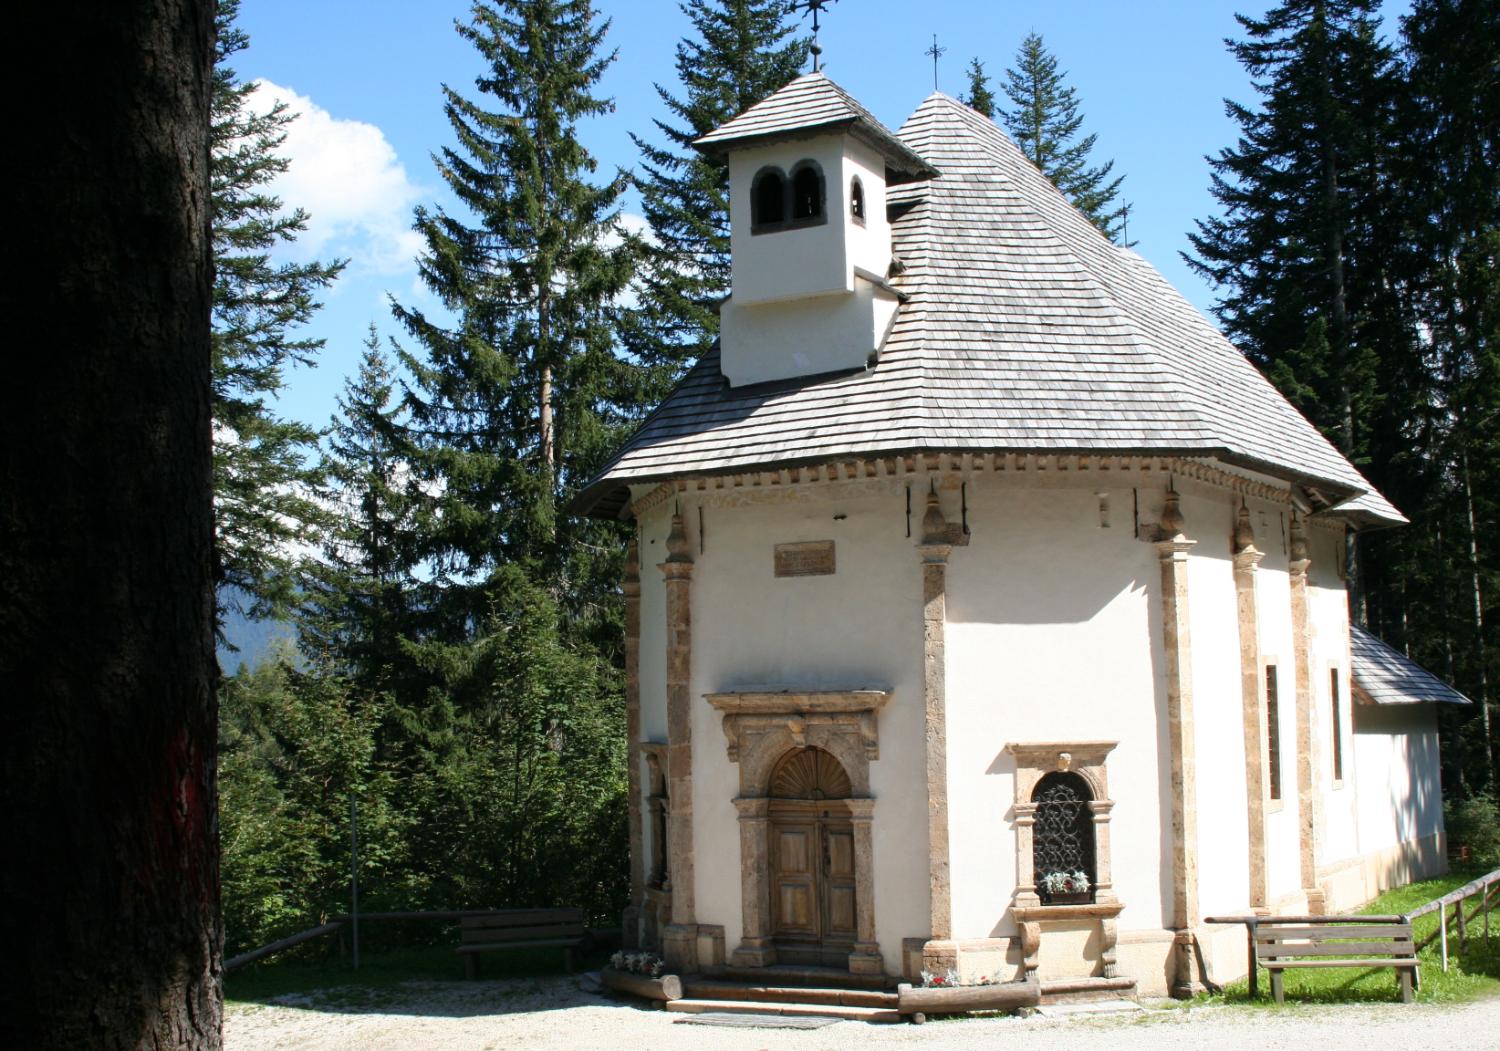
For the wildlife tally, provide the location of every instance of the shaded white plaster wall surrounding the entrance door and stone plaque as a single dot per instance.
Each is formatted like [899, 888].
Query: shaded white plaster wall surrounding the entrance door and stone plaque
[860, 627]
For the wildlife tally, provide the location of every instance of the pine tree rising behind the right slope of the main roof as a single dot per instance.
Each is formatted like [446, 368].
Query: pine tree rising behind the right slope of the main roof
[1045, 124]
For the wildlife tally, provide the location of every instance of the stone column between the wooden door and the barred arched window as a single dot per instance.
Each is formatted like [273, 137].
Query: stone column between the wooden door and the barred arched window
[935, 548]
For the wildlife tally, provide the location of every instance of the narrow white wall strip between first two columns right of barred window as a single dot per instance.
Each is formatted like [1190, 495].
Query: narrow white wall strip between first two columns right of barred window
[1219, 705]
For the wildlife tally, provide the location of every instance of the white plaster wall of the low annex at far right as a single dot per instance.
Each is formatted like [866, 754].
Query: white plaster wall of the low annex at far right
[1399, 782]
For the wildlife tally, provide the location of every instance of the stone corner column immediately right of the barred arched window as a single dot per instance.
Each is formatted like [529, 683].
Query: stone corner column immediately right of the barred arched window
[1177, 645]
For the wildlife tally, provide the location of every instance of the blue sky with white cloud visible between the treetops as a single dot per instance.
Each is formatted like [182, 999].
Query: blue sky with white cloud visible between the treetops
[1151, 77]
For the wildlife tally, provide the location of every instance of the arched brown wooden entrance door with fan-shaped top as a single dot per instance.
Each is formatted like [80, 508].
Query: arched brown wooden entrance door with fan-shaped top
[812, 860]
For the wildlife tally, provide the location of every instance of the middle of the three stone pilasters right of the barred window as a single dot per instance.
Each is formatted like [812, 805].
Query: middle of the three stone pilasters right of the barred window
[1253, 704]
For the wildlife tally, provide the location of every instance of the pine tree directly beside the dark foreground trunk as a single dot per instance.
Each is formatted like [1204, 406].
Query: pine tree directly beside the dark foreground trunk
[263, 464]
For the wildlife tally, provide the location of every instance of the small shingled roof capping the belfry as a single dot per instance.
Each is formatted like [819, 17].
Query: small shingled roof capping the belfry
[815, 106]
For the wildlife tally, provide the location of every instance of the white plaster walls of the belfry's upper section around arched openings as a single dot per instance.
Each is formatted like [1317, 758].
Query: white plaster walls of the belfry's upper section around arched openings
[790, 263]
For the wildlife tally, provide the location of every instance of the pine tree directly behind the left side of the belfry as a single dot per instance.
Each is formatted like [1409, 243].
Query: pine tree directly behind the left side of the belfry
[742, 53]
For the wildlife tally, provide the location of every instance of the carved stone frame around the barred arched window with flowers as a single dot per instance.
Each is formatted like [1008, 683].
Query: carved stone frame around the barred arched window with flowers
[1034, 761]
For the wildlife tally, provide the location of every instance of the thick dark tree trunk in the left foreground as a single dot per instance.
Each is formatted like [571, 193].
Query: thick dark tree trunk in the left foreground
[109, 731]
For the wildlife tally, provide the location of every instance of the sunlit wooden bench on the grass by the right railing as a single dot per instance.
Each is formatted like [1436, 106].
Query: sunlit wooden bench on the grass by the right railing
[1343, 942]
